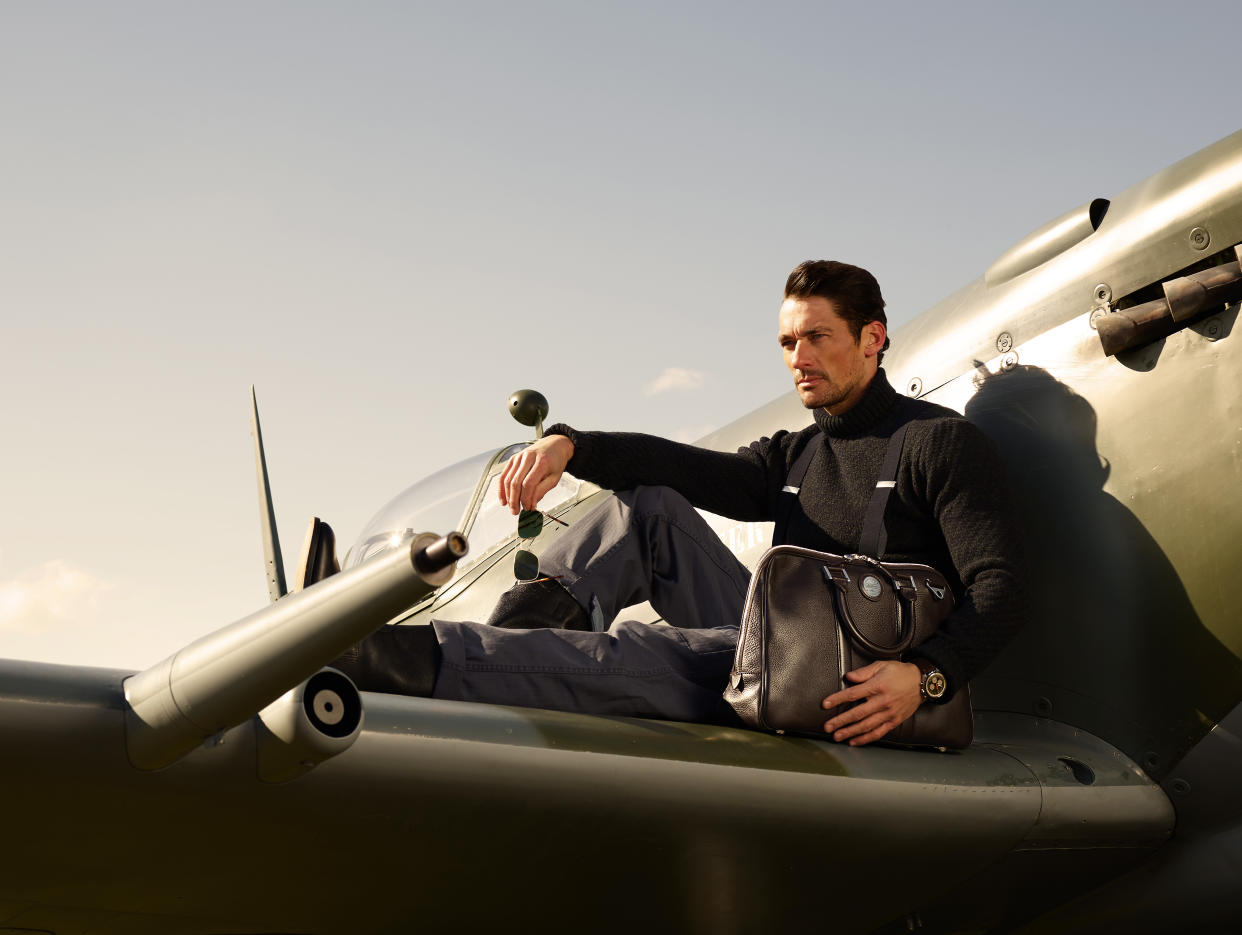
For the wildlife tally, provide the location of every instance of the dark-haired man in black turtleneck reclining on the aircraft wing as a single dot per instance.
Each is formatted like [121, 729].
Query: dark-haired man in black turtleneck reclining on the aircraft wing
[948, 511]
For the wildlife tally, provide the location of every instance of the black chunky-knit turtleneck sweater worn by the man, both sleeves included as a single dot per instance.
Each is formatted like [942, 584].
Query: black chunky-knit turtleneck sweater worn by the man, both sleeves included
[951, 508]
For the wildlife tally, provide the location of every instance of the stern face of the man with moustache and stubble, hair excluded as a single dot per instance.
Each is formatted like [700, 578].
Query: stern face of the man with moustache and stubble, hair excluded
[832, 368]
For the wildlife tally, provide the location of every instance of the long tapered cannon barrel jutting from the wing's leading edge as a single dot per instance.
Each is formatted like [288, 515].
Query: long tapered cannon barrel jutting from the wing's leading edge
[227, 677]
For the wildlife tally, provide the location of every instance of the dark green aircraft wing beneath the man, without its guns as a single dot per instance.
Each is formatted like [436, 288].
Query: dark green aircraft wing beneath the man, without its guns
[455, 816]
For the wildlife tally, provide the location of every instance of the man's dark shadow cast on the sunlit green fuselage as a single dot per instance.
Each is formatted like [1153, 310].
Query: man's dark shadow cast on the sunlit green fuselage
[1113, 644]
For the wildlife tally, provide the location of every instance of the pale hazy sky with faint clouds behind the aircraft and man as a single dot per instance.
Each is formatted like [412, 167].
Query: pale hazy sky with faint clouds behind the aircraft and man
[388, 217]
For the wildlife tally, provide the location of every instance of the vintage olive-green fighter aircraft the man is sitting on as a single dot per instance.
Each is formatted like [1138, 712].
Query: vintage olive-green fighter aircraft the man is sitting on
[242, 788]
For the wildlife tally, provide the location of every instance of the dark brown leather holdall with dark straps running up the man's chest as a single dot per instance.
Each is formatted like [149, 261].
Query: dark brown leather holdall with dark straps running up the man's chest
[810, 618]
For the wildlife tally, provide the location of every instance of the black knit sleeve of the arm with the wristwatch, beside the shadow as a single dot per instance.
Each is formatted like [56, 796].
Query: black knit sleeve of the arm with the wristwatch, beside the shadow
[969, 496]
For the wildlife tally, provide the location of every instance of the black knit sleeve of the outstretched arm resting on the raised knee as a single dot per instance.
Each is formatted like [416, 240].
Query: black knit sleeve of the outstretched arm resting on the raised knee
[741, 486]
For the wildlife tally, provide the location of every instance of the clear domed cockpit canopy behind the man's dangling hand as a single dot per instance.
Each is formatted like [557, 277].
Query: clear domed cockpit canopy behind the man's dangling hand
[463, 497]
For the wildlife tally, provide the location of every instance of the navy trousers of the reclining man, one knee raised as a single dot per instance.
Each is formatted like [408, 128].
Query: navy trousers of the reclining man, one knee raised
[648, 544]
